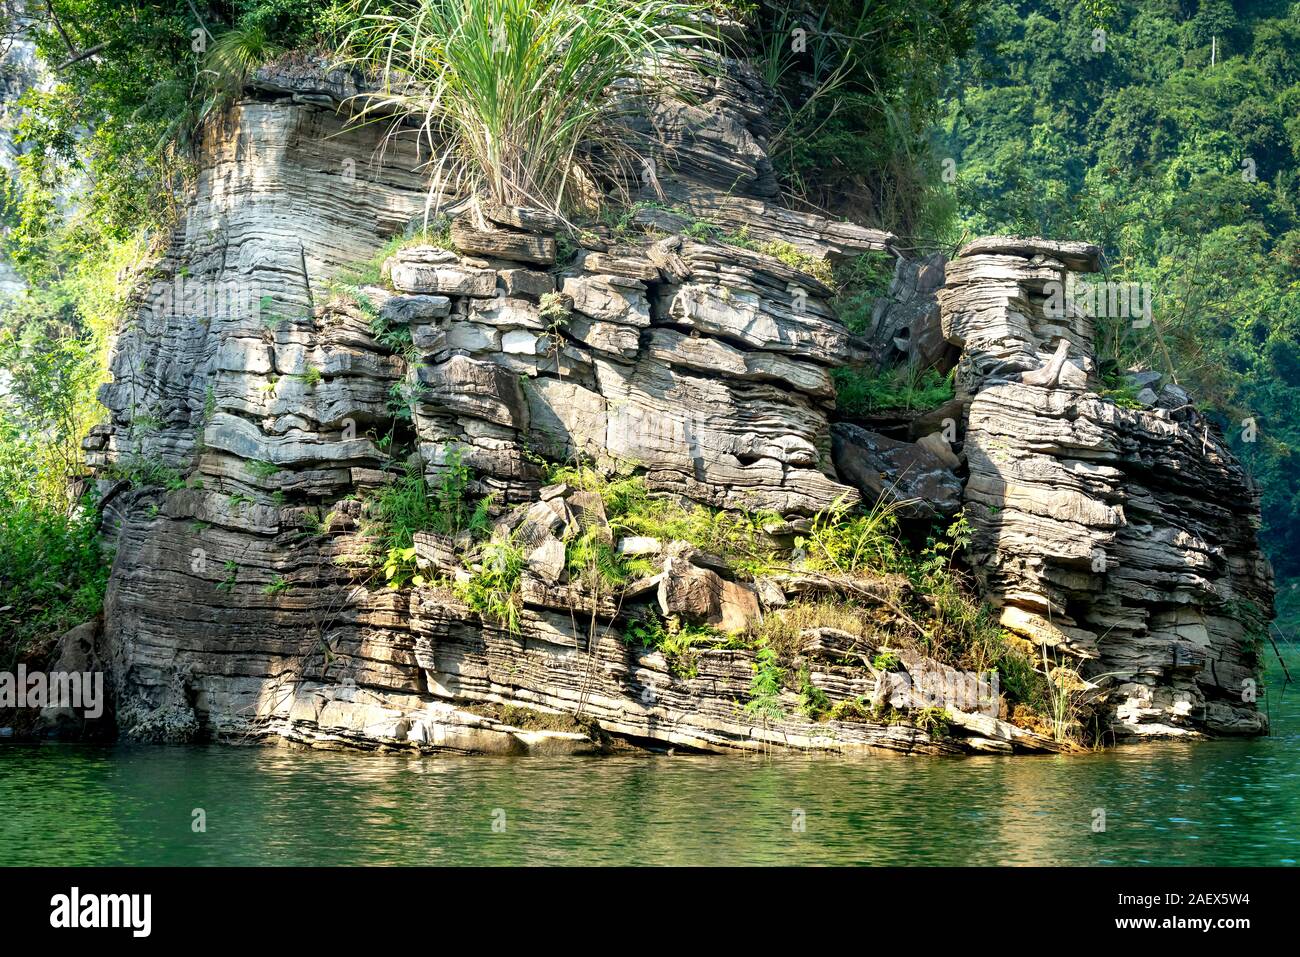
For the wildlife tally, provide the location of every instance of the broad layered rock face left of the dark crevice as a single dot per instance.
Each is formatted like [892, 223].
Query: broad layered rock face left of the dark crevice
[252, 405]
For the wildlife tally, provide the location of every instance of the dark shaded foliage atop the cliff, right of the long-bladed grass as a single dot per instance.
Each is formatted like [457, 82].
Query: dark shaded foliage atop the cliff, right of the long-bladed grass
[857, 99]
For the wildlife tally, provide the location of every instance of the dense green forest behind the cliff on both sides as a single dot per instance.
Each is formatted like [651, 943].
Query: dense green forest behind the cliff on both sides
[1167, 132]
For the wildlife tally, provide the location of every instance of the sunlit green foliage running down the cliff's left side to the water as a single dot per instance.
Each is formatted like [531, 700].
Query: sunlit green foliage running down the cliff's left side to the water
[119, 128]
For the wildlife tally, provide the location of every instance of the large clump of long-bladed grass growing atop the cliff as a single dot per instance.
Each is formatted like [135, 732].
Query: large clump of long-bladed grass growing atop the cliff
[513, 96]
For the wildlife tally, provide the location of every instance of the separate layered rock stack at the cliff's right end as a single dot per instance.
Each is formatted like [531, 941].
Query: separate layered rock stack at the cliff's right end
[1124, 540]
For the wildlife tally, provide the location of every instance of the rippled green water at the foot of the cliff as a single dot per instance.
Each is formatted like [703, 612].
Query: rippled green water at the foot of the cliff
[1223, 803]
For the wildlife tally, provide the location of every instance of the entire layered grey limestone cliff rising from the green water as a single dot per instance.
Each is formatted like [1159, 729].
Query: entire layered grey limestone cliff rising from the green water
[253, 409]
